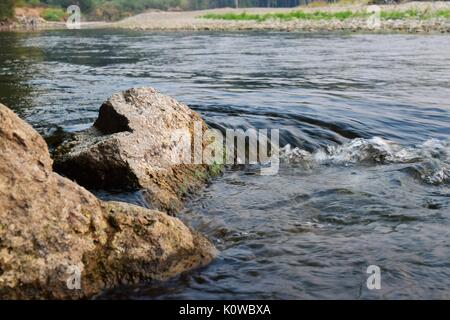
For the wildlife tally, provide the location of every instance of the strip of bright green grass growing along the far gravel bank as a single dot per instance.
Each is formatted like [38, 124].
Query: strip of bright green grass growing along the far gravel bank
[322, 15]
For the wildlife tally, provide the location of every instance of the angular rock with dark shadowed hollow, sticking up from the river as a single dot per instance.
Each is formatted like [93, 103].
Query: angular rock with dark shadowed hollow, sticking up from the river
[132, 146]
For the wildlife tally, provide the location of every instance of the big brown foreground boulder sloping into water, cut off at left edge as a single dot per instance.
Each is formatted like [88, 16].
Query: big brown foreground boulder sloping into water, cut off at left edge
[51, 229]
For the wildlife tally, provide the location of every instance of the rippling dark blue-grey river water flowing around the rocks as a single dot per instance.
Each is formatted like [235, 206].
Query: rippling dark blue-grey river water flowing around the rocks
[365, 173]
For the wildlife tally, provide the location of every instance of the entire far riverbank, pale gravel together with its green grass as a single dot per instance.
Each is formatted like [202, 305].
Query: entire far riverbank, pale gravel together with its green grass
[396, 18]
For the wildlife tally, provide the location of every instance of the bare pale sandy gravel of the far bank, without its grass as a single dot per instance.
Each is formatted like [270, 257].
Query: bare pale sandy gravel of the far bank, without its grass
[192, 21]
